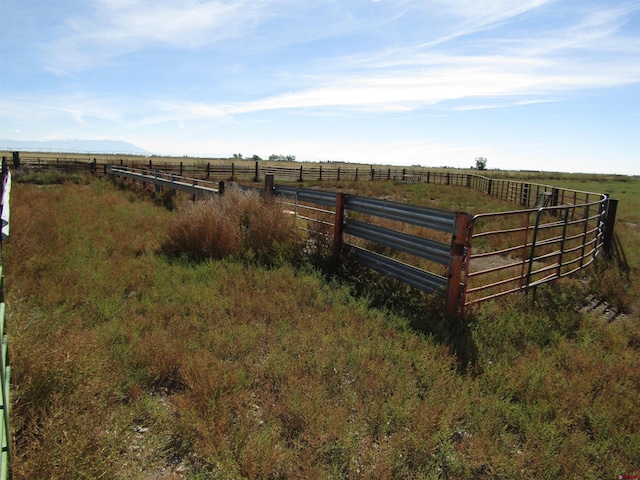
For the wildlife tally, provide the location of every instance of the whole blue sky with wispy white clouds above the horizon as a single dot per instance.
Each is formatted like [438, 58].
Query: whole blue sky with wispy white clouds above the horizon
[528, 84]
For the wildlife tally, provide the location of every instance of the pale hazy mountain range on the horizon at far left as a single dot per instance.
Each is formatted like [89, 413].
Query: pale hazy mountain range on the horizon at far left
[72, 146]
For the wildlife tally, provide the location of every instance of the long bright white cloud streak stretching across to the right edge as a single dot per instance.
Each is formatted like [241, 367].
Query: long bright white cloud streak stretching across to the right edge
[501, 78]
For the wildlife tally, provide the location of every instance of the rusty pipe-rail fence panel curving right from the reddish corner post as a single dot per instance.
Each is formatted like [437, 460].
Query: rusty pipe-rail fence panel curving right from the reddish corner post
[513, 251]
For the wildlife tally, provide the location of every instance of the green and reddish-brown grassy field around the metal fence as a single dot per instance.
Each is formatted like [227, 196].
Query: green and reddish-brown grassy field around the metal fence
[132, 362]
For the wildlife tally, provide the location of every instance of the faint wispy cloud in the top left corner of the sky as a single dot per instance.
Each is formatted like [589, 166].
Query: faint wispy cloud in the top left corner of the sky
[114, 28]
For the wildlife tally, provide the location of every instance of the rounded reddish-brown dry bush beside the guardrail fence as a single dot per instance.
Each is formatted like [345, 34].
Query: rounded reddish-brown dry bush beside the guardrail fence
[240, 224]
